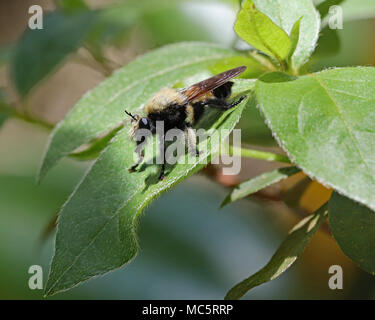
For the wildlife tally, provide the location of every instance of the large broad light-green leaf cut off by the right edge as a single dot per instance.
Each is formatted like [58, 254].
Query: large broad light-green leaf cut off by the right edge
[325, 121]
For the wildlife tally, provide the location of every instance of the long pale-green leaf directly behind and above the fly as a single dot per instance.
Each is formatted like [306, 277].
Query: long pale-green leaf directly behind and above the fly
[102, 109]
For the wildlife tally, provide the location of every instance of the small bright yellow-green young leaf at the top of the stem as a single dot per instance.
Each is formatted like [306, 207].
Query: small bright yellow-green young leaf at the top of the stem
[259, 31]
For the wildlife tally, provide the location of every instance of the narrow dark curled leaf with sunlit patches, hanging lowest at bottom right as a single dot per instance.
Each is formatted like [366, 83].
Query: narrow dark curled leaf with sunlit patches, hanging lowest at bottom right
[285, 255]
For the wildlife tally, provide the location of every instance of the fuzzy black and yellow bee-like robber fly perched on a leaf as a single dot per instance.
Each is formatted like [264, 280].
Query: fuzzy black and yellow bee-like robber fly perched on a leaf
[181, 109]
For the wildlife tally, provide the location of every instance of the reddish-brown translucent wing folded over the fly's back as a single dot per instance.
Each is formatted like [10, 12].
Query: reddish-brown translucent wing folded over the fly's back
[198, 89]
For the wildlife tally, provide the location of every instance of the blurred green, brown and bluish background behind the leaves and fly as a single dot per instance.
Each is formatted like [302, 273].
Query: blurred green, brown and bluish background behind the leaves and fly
[190, 249]
